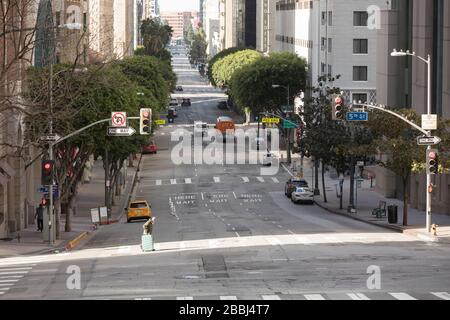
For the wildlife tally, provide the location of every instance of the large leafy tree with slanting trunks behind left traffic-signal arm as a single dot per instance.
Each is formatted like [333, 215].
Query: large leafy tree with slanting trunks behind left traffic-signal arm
[80, 98]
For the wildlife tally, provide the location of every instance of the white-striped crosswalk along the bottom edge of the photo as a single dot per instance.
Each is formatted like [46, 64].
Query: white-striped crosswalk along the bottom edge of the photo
[357, 296]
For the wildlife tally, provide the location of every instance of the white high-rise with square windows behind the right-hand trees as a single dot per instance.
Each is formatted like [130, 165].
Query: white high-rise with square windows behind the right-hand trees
[336, 38]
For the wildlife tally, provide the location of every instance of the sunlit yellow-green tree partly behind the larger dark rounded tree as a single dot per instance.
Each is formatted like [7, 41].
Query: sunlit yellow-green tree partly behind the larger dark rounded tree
[224, 69]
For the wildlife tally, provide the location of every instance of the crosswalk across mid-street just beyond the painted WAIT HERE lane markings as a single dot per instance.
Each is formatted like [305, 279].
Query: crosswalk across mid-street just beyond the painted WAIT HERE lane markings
[215, 180]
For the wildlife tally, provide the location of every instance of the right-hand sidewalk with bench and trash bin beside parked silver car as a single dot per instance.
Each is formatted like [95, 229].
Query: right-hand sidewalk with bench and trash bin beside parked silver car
[367, 199]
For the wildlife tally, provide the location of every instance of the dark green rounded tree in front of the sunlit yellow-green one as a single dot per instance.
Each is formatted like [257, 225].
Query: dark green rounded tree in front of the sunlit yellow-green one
[251, 86]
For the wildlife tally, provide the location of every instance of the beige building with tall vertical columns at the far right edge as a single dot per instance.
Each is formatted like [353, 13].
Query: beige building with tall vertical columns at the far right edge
[424, 28]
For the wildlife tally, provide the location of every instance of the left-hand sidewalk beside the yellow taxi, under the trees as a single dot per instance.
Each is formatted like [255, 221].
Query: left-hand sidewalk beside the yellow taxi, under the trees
[90, 195]
